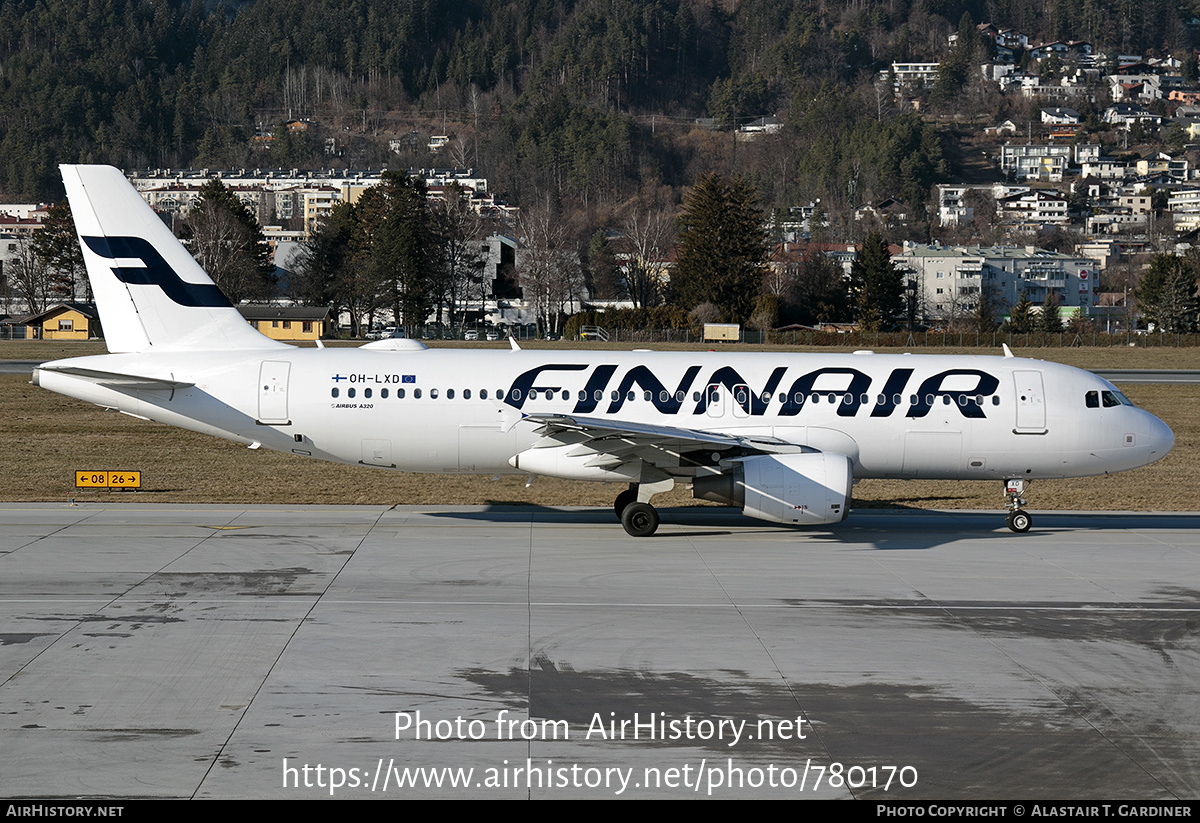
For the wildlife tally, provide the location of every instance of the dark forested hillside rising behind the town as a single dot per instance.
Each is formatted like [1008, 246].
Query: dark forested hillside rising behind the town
[587, 101]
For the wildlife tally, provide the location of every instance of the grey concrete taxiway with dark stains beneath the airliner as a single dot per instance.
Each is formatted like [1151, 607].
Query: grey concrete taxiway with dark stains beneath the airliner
[201, 652]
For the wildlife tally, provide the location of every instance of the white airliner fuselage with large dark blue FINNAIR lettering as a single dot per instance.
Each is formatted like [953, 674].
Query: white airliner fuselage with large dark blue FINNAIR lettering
[463, 411]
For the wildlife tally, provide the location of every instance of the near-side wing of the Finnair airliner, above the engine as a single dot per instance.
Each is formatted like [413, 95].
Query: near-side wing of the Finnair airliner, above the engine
[617, 442]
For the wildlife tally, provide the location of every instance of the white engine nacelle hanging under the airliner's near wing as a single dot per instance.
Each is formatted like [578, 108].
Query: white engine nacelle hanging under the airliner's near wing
[801, 490]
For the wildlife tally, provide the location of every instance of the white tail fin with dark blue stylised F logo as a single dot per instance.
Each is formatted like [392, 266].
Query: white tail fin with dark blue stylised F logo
[149, 291]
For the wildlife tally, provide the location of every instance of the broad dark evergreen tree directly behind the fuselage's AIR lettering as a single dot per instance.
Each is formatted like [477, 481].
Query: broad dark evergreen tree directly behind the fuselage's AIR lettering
[723, 248]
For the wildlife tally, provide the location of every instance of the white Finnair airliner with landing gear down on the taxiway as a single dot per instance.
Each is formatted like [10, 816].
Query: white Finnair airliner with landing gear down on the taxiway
[781, 436]
